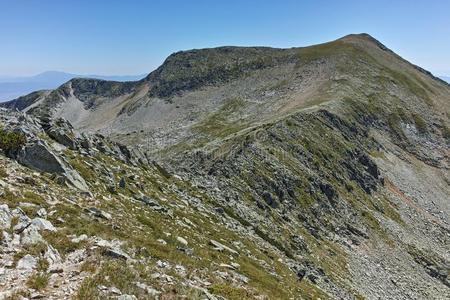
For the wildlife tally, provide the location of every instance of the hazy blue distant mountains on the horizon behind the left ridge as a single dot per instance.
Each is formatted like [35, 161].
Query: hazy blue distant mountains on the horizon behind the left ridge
[13, 87]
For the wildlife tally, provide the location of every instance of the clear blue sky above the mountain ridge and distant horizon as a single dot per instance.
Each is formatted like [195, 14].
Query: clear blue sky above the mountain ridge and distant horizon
[133, 37]
